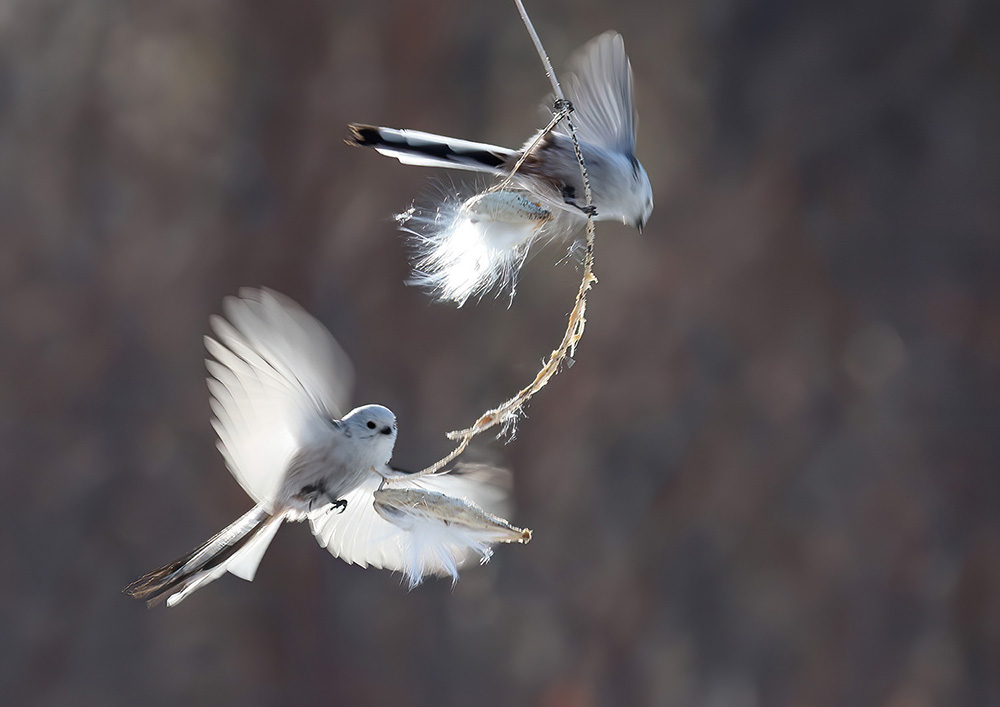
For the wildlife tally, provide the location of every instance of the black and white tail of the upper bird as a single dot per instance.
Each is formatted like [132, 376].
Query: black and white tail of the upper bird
[429, 150]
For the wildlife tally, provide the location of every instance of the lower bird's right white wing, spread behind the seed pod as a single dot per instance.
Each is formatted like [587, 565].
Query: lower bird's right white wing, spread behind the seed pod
[360, 536]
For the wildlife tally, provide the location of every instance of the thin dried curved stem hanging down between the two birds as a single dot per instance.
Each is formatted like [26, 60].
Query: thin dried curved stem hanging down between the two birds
[509, 410]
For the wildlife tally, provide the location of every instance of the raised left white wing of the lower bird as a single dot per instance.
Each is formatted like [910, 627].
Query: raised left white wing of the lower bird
[277, 379]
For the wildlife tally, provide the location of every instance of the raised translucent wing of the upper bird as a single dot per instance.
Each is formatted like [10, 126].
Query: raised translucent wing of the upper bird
[599, 86]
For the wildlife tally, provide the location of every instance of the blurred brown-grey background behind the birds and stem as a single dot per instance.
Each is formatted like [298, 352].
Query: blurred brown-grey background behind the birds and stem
[772, 476]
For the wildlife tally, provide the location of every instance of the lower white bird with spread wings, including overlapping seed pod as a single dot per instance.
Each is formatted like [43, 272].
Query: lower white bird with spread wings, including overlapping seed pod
[278, 382]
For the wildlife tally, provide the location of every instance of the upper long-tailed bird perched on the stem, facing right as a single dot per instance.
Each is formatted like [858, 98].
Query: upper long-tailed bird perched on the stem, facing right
[599, 87]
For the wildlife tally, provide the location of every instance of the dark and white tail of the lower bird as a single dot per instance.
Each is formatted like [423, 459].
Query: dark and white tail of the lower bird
[237, 549]
